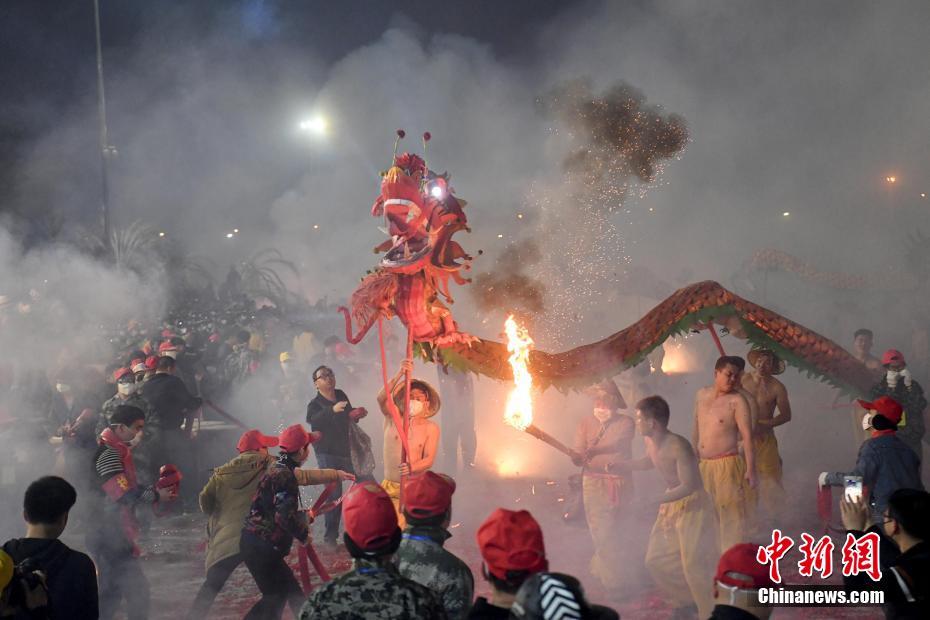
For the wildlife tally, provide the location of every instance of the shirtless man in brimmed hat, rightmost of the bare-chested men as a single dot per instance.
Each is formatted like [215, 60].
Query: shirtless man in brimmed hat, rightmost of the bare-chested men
[769, 393]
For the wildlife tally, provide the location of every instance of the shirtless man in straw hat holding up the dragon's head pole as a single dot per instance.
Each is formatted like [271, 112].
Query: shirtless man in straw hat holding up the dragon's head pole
[422, 435]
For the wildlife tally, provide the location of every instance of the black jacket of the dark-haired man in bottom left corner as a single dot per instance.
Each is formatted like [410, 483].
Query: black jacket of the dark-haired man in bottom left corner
[70, 575]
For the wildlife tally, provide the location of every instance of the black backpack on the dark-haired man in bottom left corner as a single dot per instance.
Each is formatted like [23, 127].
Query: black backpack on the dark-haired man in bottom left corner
[26, 595]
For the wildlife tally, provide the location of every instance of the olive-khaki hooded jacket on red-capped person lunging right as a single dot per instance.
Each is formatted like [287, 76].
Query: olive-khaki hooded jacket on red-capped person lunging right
[228, 495]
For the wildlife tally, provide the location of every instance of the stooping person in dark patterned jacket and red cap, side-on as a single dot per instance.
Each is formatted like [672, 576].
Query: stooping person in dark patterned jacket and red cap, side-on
[273, 522]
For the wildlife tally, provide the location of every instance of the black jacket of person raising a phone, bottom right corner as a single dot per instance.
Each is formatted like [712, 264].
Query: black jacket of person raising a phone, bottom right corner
[905, 581]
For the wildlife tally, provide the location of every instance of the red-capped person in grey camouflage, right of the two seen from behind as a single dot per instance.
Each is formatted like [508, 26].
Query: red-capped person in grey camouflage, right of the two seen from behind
[421, 556]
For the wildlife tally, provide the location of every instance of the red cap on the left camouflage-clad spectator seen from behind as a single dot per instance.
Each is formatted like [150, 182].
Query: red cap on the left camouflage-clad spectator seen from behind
[369, 516]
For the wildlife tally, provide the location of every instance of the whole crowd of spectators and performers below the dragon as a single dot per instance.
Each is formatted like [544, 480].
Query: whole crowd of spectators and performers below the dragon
[722, 497]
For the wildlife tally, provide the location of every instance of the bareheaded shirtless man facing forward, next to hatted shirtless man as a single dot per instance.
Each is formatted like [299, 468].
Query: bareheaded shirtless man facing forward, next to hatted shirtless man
[721, 420]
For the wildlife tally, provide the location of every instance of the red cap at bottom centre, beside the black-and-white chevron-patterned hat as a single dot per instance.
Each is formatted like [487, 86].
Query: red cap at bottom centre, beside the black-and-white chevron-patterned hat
[512, 541]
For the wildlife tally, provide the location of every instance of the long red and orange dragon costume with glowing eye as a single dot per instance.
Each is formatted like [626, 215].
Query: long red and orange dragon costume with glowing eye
[422, 214]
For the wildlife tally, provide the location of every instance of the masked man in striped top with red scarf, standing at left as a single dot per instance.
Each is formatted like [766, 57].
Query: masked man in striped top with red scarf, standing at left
[113, 543]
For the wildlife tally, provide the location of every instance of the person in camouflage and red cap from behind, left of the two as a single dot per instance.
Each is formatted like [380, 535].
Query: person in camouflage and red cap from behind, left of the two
[373, 588]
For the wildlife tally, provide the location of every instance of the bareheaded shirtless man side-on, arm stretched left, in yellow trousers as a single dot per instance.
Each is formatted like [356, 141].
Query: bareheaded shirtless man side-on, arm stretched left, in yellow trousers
[683, 543]
